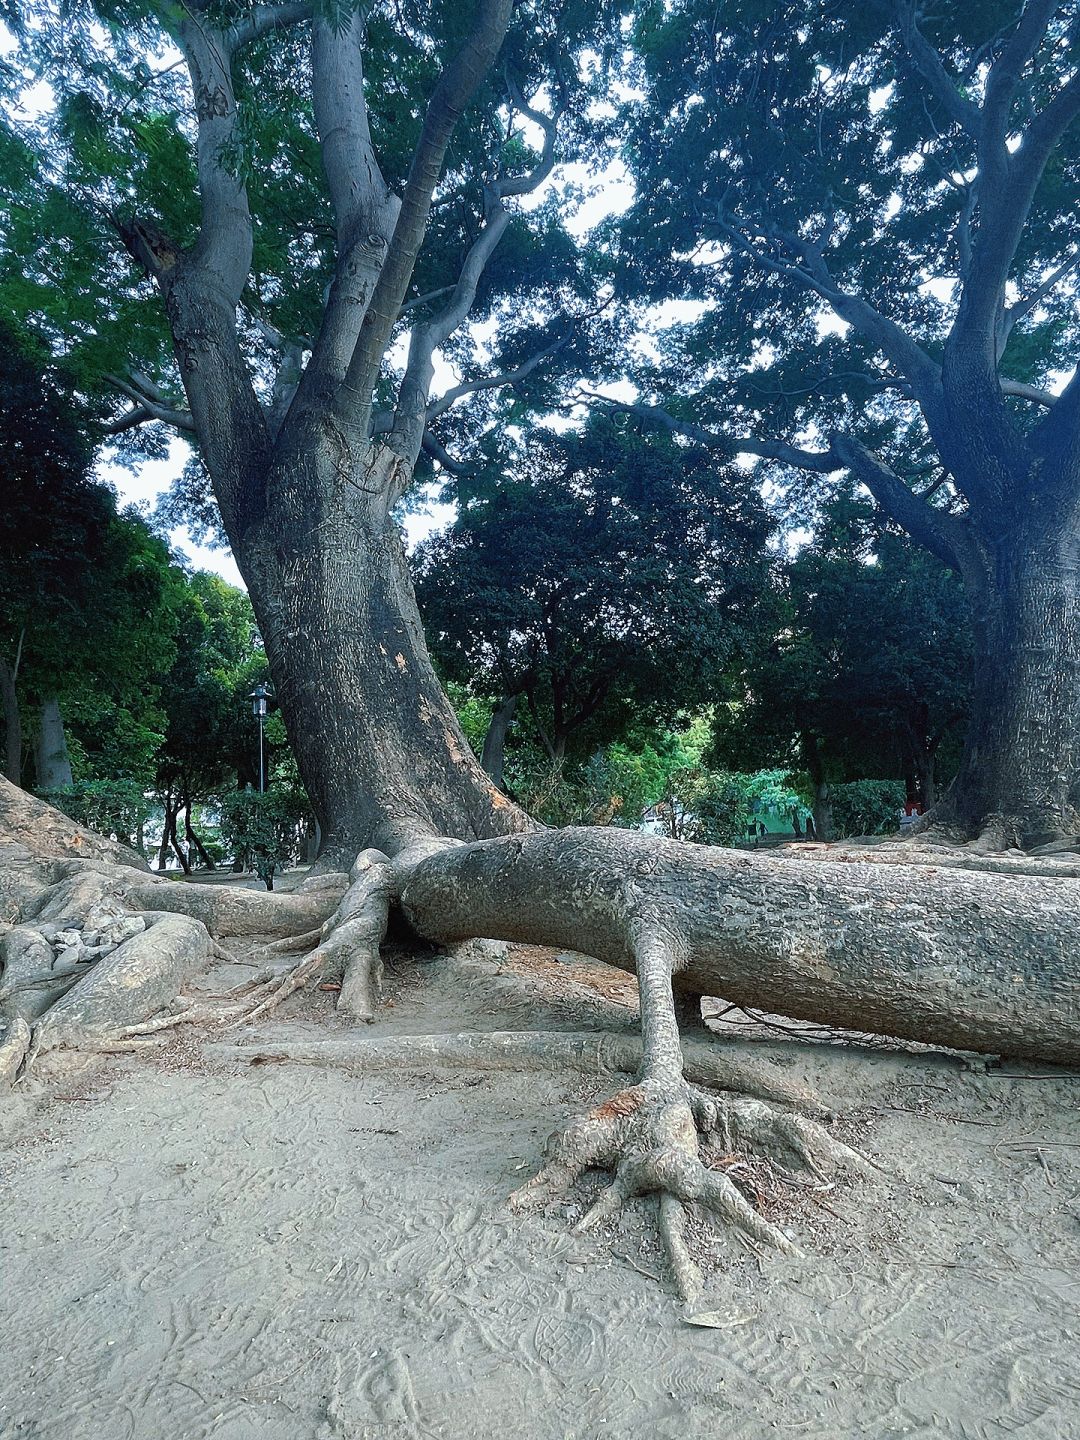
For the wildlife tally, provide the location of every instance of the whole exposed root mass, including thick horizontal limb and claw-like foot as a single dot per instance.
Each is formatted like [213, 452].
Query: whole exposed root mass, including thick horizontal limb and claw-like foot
[927, 951]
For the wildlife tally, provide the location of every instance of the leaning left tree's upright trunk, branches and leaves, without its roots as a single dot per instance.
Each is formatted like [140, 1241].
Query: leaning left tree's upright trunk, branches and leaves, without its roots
[307, 437]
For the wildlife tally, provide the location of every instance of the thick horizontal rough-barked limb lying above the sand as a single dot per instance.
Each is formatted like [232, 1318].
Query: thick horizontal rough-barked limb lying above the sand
[951, 958]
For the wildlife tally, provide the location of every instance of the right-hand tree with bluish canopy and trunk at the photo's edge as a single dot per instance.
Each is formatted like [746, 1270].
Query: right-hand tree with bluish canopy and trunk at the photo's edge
[878, 214]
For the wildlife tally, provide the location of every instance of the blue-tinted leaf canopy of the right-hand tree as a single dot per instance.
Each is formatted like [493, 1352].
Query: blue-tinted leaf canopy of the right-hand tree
[757, 130]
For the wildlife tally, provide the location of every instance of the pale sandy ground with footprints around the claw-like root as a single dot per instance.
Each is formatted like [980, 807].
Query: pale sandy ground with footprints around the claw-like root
[192, 1248]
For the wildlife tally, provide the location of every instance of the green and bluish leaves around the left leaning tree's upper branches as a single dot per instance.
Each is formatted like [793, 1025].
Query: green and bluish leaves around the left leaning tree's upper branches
[119, 143]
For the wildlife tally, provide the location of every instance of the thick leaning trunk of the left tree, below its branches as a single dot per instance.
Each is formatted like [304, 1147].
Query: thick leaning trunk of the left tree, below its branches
[378, 744]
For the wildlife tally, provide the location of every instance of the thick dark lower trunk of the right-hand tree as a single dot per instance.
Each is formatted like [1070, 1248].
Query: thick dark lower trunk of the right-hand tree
[1020, 775]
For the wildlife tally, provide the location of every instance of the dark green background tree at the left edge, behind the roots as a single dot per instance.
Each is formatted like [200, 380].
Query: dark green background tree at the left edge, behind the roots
[87, 594]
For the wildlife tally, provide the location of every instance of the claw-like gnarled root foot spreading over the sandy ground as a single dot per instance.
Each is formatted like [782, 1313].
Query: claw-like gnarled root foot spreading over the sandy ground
[649, 1137]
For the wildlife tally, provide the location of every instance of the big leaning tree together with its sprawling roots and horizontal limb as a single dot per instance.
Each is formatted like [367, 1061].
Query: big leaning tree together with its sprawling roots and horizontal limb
[306, 473]
